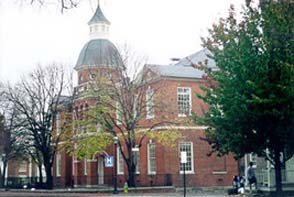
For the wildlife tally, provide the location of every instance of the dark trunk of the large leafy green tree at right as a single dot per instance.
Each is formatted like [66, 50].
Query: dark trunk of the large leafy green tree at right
[278, 174]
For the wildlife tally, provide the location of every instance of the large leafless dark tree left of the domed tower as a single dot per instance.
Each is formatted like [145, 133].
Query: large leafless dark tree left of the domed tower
[35, 99]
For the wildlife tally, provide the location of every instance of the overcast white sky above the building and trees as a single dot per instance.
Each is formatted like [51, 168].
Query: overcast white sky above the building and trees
[159, 29]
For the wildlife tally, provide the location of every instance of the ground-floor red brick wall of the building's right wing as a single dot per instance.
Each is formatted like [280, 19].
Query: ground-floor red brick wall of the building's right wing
[167, 162]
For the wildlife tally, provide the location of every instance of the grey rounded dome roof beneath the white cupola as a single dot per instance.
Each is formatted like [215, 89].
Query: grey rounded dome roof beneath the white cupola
[99, 52]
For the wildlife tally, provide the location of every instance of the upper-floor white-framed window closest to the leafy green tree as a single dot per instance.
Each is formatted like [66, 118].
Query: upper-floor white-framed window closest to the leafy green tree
[184, 101]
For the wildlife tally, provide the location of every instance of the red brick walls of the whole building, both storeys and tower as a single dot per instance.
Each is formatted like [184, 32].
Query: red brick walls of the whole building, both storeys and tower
[208, 170]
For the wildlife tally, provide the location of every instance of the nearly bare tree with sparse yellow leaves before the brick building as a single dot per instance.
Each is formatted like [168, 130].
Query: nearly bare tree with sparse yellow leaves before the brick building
[124, 101]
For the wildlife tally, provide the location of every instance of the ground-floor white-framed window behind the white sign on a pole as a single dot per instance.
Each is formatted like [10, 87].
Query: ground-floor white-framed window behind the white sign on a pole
[188, 148]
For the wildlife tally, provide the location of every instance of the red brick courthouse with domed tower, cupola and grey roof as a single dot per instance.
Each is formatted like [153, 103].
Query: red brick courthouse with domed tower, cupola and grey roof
[158, 165]
